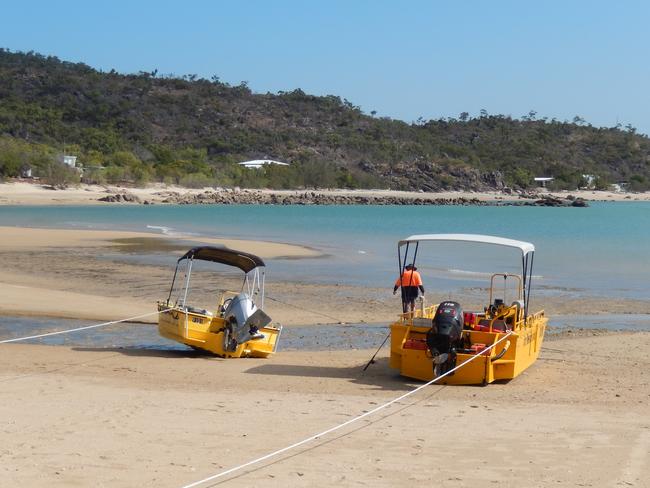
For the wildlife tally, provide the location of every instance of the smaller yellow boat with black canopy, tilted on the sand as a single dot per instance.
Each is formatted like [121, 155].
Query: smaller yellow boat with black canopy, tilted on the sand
[238, 327]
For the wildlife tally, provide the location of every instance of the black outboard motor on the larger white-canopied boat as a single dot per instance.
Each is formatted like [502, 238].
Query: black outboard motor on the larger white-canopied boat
[444, 336]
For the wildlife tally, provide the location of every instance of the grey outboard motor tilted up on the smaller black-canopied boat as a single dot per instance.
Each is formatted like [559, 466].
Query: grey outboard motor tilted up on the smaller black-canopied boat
[243, 321]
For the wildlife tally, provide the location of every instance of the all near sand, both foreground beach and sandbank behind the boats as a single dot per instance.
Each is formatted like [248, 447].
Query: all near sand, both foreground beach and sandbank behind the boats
[83, 416]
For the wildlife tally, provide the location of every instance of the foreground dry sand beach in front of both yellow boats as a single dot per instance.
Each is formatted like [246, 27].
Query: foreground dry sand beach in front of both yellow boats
[121, 418]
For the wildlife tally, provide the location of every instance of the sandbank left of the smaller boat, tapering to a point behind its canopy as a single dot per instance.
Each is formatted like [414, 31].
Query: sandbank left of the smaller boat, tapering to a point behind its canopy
[65, 276]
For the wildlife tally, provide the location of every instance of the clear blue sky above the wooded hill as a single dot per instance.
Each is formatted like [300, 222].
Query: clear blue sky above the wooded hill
[405, 60]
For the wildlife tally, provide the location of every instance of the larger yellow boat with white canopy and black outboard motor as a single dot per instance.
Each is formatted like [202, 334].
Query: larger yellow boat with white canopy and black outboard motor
[429, 341]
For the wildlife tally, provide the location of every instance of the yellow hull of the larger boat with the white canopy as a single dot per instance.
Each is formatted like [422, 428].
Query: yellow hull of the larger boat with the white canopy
[416, 362]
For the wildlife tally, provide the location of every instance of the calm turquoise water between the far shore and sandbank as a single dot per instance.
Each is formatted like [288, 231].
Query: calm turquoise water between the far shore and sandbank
[602, 250]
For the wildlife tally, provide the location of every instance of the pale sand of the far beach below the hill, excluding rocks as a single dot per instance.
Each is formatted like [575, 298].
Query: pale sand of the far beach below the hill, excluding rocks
[25, 193]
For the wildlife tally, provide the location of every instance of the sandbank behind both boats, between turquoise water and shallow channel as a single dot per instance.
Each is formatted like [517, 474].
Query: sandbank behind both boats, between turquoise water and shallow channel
[64, 273]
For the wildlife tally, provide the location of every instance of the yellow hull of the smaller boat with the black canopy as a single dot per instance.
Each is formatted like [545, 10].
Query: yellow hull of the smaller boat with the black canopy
[205, 332]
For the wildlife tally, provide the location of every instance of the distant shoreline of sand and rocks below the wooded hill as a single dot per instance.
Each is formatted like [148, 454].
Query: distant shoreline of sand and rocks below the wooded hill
[23, 193]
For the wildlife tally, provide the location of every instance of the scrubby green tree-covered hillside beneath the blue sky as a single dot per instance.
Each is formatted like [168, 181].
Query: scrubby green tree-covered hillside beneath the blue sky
[191, 131]
